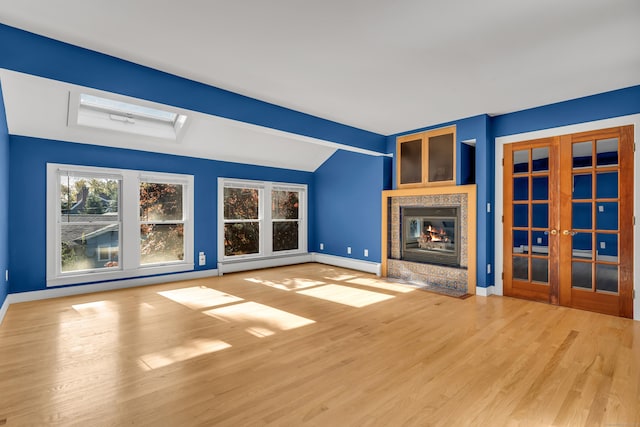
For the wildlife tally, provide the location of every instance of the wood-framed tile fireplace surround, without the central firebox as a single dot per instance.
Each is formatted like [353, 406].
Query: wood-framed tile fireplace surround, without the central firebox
[461, 279]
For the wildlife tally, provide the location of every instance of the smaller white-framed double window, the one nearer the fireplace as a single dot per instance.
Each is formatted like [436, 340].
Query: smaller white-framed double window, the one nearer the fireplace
[261, 219]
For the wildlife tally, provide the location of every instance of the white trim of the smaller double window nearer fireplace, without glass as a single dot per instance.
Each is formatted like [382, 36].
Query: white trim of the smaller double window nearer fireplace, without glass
[264, 218]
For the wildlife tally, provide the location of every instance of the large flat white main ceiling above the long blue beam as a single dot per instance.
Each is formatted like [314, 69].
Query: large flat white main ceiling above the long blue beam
[384, 66]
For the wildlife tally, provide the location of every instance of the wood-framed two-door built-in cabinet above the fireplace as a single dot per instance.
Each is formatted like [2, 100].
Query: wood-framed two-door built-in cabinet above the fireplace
[427, 158]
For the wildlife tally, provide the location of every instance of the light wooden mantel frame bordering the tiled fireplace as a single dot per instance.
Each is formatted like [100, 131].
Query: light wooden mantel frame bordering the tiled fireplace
[439, 196]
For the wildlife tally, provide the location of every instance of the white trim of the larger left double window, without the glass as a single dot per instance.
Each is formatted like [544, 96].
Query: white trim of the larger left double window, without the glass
[129, 252]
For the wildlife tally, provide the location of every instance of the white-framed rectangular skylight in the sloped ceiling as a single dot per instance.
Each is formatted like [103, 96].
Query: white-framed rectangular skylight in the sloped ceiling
[130, 117]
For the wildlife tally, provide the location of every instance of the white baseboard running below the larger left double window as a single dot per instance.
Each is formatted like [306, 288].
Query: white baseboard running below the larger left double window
[107, 286]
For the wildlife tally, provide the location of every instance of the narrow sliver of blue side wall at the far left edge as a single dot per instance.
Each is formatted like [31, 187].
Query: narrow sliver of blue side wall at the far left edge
[4, 200]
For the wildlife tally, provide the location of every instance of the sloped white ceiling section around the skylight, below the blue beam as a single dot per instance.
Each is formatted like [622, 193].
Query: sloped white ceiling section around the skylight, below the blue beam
[37, 107]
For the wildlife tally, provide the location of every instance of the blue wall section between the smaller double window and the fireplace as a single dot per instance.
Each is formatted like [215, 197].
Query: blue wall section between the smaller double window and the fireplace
[347, 200]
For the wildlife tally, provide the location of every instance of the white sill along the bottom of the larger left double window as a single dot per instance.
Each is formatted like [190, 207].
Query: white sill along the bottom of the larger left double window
[101, 276]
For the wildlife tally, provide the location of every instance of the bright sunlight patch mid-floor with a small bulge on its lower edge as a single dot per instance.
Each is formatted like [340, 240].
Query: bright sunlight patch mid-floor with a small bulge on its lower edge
[259, 319]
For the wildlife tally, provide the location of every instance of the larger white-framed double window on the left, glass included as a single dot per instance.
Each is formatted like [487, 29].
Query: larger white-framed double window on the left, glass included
[105, 224]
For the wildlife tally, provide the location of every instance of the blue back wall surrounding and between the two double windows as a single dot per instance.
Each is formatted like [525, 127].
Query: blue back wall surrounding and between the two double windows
[29, 156]
